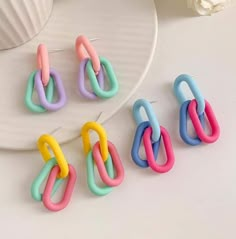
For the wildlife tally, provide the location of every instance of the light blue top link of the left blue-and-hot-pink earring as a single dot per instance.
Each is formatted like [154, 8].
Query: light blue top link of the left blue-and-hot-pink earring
[151, 116]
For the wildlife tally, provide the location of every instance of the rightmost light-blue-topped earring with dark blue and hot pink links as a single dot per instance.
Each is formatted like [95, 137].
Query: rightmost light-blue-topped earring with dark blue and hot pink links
[197, 109]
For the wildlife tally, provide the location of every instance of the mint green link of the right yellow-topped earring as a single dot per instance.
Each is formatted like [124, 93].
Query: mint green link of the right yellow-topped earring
[99, 191]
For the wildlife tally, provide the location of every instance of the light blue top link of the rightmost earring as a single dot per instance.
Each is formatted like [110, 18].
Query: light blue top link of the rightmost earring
[193, 87]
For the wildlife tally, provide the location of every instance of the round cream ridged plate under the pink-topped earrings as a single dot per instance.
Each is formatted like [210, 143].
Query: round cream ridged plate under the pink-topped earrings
[127, 32]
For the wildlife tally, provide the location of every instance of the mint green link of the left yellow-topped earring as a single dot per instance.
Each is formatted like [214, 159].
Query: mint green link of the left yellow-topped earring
[35, 188]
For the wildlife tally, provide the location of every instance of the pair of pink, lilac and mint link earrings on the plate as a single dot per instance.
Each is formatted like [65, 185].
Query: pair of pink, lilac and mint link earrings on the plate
[46, 80]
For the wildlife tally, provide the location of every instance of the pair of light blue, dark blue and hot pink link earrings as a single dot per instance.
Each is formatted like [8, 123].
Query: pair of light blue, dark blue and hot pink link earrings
[150, 132]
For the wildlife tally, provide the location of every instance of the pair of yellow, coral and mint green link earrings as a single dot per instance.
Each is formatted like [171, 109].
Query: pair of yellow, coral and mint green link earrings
[56, 169]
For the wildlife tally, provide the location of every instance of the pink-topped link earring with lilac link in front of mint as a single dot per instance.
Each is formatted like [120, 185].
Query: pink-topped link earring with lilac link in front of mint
[44, 80]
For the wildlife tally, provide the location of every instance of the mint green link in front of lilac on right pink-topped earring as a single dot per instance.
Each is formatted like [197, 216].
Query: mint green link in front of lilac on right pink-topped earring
[111, 76]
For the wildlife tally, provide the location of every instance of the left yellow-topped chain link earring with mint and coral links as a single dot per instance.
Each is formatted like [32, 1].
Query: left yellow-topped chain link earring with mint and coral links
[55, 170]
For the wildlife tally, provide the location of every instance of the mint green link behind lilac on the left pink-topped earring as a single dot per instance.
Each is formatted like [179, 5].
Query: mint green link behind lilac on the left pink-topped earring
[29, 93]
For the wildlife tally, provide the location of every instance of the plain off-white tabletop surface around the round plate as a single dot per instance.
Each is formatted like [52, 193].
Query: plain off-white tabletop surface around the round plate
[196, 199]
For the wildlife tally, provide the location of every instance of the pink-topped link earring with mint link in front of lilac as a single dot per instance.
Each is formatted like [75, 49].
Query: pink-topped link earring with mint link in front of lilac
[96, 68]
